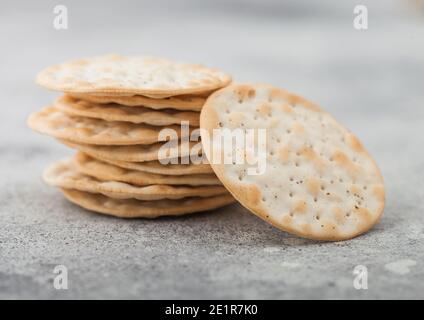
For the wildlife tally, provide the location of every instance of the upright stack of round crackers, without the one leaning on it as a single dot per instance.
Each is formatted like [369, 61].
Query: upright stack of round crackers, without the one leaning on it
[116, 112]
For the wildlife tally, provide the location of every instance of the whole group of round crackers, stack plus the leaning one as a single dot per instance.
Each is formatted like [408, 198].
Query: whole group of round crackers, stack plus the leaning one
[313, 177]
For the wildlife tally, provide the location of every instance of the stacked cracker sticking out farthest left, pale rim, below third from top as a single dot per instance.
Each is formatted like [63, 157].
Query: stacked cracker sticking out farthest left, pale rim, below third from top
[53, 122]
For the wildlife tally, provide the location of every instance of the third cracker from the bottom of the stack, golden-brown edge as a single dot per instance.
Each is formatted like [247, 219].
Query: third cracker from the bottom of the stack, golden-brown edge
[109, 172]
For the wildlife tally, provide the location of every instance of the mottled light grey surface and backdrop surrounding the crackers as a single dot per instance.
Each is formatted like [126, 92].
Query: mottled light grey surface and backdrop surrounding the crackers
[372, 81]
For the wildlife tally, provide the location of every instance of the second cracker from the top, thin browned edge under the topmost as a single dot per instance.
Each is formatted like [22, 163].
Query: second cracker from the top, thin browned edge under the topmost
[184, 102]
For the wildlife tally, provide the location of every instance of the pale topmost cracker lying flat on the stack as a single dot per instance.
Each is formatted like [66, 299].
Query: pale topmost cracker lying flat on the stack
[146, 76]
